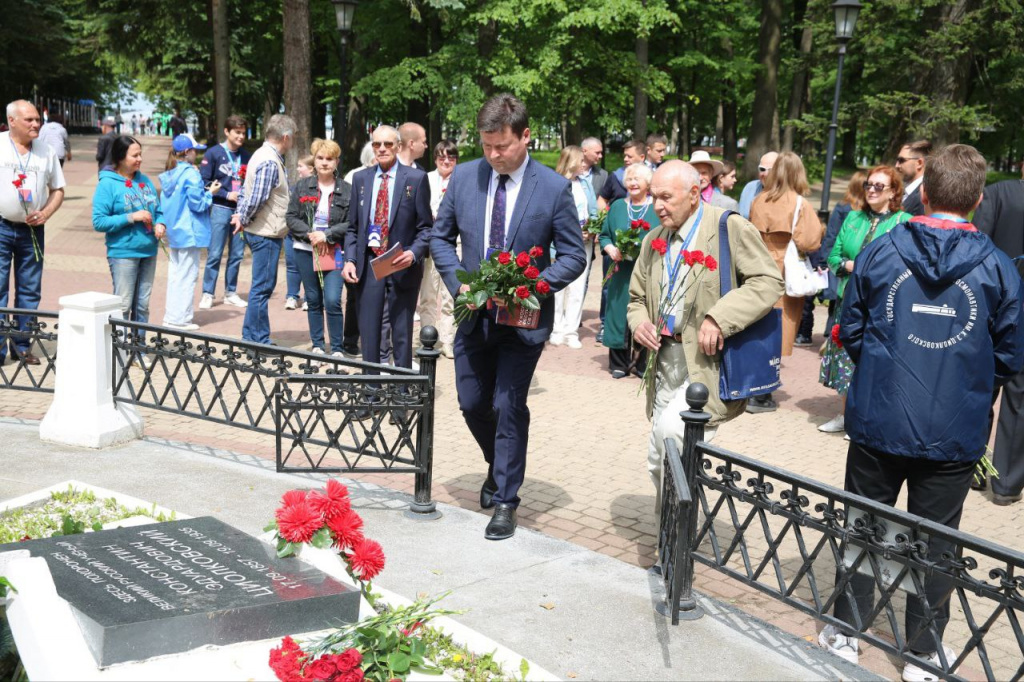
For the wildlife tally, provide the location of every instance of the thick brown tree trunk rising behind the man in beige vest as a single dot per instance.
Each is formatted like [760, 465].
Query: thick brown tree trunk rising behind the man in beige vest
[297, 75]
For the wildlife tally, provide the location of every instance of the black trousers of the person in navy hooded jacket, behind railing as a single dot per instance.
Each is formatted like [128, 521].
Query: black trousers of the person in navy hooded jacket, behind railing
[935, 491]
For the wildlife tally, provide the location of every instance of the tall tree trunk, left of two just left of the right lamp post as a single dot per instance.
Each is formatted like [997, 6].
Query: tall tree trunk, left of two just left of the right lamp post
[765, 88]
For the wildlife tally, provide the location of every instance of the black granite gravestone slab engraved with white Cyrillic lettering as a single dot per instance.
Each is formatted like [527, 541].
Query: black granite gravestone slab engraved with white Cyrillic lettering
[167, 588]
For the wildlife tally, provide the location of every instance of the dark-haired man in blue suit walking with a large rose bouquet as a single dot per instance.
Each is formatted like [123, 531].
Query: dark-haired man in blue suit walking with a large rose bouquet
[504, 202]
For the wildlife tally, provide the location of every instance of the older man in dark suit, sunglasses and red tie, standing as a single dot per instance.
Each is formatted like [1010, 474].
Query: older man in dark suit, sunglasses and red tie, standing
[391, 205]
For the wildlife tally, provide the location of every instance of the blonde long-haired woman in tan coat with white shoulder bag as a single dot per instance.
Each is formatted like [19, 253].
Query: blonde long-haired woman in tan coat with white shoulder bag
[782, 215]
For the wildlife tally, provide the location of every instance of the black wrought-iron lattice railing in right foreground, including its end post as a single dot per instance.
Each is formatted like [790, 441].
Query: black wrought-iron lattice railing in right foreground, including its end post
[812, 546]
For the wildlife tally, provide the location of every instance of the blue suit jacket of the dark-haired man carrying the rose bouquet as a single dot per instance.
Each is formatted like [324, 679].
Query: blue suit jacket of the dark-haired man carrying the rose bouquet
[544, 215]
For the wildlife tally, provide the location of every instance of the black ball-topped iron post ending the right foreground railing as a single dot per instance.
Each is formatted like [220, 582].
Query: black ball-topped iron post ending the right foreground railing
[696, 420]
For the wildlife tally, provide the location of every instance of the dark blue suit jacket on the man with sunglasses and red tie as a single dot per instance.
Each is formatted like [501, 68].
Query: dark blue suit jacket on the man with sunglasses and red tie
[409, 224]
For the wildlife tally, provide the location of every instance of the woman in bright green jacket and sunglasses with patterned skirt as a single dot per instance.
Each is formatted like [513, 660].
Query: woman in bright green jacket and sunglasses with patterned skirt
[884, 194]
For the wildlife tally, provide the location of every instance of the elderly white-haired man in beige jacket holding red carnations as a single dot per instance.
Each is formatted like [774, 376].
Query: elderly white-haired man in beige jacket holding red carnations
[705, 319]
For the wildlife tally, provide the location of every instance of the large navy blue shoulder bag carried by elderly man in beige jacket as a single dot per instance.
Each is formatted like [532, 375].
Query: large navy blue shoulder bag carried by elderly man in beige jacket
[752, 358]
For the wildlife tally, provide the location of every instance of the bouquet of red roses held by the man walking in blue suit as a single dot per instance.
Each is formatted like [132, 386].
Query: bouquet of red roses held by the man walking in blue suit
[511, 280]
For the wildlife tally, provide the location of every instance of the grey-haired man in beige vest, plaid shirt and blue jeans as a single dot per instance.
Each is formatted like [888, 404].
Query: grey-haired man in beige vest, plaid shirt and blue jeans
[261, 214]
